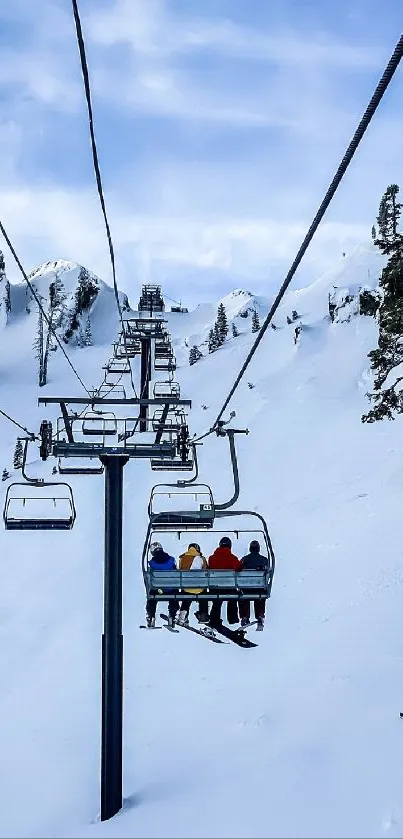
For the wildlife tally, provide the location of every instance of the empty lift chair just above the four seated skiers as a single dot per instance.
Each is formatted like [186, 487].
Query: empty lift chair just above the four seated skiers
[196, 510]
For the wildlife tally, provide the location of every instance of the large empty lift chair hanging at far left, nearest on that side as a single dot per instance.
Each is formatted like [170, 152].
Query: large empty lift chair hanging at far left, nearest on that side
[38, 506]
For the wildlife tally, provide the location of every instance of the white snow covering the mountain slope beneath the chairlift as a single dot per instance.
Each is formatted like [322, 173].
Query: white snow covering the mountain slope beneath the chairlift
[299, 737]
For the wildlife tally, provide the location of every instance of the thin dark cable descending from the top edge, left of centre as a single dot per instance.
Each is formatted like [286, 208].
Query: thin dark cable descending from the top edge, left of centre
[97, 171]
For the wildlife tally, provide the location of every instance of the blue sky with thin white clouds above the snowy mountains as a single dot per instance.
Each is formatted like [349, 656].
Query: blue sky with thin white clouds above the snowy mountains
[219, 125]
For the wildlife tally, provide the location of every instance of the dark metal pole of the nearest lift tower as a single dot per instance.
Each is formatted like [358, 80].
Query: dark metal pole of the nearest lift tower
[112, 642]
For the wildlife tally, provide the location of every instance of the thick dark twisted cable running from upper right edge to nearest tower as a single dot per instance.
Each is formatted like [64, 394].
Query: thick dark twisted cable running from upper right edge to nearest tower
[345, 162]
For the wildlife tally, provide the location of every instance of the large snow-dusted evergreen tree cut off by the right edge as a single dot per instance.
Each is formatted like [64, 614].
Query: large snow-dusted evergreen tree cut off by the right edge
[388, 355]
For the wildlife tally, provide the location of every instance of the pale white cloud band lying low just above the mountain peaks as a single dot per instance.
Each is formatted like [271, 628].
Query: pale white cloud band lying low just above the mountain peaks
[49, 223]
